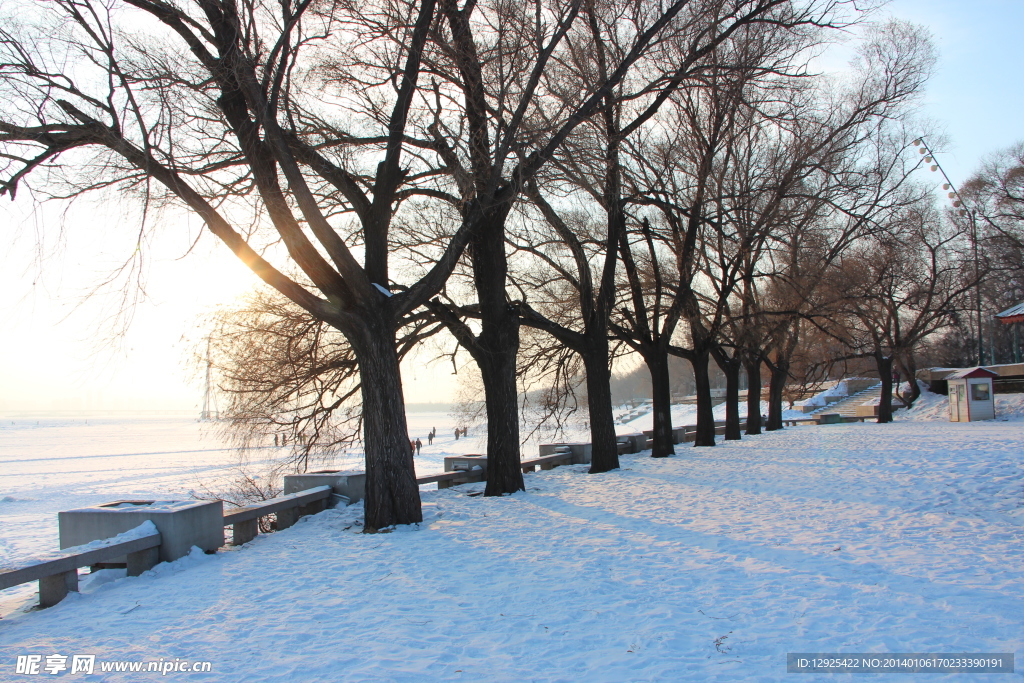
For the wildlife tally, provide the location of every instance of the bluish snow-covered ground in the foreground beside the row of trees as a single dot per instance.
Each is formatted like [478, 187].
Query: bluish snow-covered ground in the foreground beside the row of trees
[708, 567]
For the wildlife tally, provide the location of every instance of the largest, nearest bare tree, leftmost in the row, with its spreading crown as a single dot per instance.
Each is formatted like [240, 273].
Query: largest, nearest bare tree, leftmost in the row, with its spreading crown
[220, 108]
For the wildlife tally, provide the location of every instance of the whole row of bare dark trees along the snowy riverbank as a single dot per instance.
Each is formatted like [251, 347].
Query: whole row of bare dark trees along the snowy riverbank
[669, 179]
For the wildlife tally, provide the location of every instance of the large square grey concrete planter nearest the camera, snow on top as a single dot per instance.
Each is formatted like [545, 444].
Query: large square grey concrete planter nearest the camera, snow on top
[182, 525]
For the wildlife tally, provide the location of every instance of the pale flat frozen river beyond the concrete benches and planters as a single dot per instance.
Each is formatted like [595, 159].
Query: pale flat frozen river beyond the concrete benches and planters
[49, 464]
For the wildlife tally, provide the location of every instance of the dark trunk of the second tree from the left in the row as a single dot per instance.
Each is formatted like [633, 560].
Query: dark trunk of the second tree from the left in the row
[495, 353]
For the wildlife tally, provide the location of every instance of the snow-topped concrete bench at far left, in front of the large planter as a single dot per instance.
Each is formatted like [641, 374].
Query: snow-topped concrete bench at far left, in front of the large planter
[59, 576]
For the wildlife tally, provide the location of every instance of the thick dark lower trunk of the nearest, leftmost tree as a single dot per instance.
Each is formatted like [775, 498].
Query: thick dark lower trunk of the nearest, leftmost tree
[393, 497]
